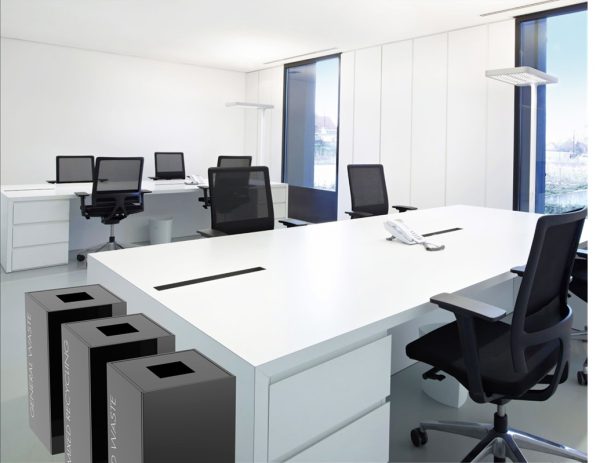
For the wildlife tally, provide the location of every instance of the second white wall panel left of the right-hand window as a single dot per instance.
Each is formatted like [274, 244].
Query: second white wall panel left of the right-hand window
[467, 111]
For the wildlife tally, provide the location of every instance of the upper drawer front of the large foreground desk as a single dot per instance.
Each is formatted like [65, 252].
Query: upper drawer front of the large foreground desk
[312, 402]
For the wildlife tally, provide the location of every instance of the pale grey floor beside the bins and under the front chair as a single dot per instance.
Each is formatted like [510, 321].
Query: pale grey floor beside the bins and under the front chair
[563, 418]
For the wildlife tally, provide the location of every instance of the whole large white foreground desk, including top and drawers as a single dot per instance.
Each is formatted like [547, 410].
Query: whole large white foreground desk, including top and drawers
[308, 337]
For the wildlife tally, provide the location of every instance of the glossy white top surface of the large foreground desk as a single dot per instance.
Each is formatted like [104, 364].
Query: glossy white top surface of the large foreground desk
[322, 281]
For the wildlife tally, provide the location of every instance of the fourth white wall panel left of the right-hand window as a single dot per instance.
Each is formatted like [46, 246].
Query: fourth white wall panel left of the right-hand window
[396, 112]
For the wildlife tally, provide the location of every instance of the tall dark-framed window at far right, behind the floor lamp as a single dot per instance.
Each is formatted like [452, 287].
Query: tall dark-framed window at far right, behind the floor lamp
[554, 42]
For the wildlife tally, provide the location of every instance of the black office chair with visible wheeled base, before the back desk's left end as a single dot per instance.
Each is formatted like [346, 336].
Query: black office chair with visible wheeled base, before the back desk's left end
[116, 194]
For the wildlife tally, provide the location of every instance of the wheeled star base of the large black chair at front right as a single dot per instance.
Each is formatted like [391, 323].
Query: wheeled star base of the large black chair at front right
[498, 440]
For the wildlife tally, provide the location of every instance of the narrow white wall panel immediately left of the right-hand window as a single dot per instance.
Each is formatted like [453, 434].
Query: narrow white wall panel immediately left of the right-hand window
[500, 118]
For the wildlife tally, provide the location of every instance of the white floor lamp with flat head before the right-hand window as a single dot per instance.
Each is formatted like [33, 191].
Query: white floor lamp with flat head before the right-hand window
[523, 76]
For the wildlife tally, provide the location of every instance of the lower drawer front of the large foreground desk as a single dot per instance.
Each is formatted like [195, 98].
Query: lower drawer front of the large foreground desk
[366, 439]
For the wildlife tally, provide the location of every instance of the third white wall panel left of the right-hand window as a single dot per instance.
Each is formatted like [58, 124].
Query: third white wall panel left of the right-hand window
[429, 121]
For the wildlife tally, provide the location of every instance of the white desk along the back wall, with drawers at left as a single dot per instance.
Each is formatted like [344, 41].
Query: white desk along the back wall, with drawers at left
[40, 223]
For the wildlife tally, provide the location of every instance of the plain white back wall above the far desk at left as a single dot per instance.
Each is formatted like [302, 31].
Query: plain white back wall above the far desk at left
[58, 100]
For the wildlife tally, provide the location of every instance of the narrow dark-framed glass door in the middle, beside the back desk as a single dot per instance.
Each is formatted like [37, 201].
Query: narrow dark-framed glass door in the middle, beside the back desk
[310, 138]
